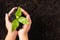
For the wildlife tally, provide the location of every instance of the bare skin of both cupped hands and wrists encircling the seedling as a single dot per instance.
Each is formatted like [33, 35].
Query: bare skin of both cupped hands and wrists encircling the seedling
[22, 33]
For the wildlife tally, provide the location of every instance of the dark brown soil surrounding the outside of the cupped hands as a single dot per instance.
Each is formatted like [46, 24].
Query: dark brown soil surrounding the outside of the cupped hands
[45, 15]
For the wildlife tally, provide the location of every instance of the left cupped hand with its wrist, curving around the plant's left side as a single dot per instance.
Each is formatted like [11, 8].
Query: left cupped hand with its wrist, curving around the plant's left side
[10, 35]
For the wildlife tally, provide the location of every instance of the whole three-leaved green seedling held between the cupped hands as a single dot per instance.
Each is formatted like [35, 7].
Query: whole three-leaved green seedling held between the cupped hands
[19, 19]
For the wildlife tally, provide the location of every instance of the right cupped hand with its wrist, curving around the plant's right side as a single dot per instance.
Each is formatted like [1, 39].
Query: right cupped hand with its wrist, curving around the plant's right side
[23, 33]
